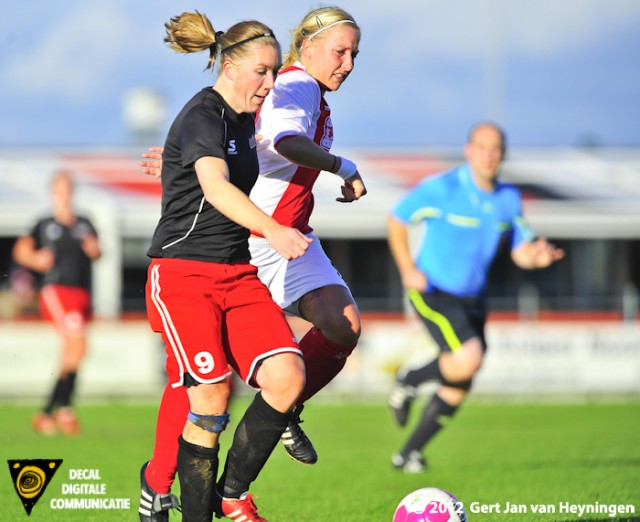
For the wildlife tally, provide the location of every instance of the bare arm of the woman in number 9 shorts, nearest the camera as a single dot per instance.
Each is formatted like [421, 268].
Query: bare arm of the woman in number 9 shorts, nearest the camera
[213, 175]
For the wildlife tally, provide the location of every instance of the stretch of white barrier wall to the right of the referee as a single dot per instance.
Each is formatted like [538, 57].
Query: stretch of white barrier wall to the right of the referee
[561, 358]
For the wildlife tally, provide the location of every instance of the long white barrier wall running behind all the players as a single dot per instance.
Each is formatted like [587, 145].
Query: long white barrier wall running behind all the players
[126, 358]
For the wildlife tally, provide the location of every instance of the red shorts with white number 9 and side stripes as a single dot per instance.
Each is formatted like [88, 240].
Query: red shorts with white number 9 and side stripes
[212, 316]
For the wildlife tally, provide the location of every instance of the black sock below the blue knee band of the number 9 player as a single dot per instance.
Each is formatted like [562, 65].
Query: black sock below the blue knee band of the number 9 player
[197, 472]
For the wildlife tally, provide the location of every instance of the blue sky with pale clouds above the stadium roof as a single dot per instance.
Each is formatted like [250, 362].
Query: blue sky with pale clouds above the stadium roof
[552, 72]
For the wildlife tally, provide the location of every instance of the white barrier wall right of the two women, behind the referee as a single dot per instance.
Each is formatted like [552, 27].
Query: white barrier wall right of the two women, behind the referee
[523, 357]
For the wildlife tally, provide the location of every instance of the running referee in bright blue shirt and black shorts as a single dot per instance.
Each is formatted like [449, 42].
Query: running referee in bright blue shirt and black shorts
[468, 215]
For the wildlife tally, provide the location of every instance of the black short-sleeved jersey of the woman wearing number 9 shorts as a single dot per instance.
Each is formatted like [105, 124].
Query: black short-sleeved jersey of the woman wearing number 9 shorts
[189, 227]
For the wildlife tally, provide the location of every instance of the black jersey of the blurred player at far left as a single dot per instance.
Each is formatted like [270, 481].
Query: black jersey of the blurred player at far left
[72, 267]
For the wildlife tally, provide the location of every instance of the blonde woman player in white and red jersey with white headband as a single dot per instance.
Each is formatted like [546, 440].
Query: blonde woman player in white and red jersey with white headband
[295, 133]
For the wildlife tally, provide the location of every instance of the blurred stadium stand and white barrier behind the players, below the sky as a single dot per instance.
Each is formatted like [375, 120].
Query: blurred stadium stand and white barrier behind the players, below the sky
[571, 329]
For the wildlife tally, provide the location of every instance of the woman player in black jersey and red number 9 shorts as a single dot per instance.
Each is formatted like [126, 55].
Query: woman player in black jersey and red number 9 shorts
[202, 293]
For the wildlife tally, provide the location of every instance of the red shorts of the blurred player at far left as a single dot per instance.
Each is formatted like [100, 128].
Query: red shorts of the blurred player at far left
[67, 307]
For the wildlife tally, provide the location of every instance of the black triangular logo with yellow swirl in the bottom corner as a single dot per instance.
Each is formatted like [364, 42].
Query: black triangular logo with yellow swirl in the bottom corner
[31, 478]
